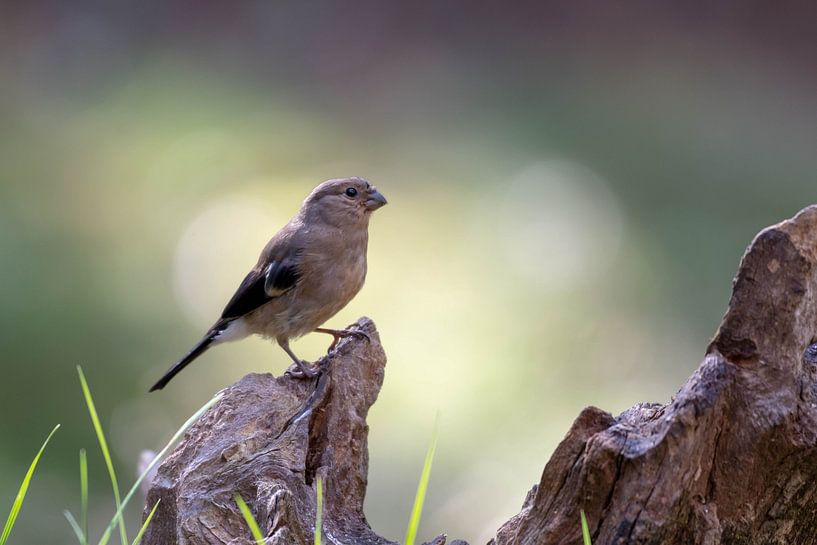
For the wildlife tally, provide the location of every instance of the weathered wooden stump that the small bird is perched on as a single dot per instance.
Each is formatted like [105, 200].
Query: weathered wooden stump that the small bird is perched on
[249, 443]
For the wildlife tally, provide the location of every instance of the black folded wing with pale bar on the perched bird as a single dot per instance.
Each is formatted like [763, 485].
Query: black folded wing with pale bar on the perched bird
[271, 278]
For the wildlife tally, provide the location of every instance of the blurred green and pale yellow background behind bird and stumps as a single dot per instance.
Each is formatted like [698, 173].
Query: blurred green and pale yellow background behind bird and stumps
[571, 186]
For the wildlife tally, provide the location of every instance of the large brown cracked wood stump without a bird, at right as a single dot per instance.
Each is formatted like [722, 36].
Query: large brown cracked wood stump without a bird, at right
[731, 459]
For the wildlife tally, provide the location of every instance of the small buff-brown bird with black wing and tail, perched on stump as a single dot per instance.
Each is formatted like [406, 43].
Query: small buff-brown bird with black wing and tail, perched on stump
[305, 275]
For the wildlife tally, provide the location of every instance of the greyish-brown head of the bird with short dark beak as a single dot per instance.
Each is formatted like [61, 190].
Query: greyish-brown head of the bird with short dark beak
[343, 202]
